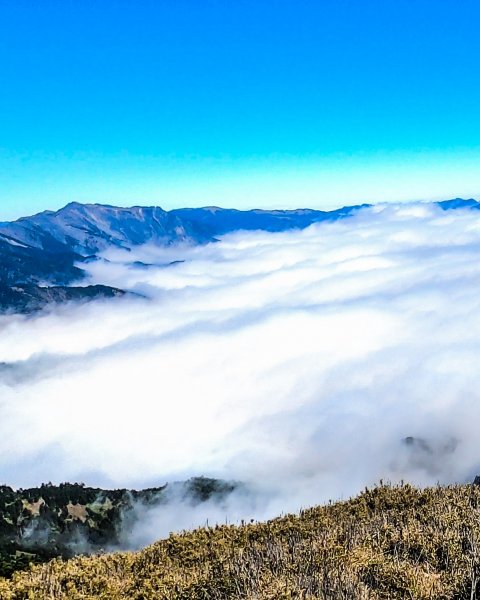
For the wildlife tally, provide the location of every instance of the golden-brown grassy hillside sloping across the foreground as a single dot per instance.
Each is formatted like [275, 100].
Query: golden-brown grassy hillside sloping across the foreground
[390, 542]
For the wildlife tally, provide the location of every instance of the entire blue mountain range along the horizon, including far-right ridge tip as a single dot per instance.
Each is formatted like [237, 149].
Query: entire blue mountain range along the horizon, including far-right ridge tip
[41, 256]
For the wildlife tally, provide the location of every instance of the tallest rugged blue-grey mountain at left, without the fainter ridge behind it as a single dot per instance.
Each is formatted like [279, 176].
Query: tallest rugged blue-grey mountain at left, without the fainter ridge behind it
[48, 249]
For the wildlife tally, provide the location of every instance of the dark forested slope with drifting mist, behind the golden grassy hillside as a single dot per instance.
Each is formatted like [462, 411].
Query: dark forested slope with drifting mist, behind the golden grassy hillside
[45, 522]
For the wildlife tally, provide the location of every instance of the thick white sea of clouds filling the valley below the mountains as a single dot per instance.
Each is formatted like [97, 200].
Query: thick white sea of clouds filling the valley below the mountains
[306, 364]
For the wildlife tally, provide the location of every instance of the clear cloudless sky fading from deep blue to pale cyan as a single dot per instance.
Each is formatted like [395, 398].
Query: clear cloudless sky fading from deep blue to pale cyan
[237, 103]
